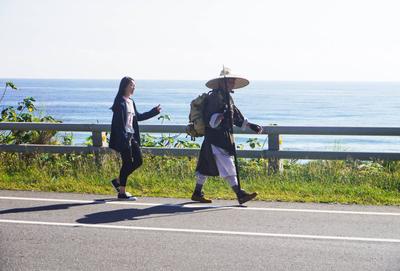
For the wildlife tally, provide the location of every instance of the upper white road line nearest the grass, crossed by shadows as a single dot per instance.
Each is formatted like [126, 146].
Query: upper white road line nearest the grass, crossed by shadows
[208, 206]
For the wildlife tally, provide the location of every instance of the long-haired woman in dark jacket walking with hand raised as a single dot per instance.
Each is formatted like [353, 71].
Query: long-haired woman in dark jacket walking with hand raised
[125, 134]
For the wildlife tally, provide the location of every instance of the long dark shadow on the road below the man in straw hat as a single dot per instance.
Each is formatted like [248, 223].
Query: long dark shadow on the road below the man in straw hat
[147, 213]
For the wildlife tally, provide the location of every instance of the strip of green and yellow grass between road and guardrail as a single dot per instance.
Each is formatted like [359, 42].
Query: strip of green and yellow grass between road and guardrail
[376, 183]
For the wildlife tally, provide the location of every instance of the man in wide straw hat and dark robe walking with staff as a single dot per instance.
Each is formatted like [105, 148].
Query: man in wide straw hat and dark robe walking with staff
[218, 148]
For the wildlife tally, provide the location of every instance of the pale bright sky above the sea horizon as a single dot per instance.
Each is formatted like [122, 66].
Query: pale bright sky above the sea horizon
[338, 40]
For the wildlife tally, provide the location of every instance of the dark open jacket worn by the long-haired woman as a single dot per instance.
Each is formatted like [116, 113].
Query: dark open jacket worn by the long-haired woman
[119, 137]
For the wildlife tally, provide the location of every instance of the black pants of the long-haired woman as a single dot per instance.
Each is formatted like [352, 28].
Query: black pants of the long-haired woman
[131, 160]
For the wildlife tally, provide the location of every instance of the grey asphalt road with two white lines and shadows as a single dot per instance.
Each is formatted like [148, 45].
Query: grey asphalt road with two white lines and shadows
[57, 231]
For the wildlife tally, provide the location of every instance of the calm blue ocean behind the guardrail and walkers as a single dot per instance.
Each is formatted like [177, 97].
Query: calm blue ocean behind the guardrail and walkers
[357, 104]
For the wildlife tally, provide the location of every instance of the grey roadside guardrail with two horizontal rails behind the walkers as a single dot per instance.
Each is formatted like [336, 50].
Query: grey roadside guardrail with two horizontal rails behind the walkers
[273, 153]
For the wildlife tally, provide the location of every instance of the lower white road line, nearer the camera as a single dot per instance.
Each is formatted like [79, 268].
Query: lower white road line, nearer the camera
[240, 233]
